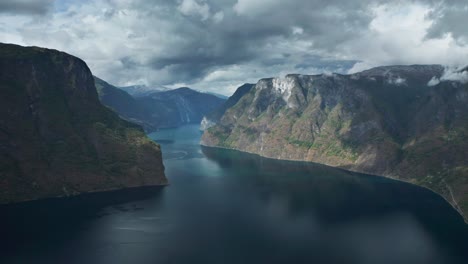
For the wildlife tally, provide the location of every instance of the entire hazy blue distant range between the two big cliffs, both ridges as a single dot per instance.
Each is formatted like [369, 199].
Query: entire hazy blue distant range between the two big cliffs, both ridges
[158, 109]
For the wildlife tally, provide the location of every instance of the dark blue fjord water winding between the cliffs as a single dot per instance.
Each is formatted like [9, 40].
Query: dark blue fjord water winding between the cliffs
[229, 207]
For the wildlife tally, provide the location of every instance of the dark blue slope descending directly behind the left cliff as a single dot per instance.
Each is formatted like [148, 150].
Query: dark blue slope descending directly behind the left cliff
[123, 104]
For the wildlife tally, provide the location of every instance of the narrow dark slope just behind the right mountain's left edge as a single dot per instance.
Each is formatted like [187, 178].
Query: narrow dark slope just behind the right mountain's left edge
[214, 116]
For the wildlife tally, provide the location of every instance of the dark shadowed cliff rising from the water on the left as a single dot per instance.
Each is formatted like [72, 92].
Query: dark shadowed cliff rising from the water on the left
[56, 139]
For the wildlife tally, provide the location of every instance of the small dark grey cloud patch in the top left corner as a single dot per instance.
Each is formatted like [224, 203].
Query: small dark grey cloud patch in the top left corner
[34, 7]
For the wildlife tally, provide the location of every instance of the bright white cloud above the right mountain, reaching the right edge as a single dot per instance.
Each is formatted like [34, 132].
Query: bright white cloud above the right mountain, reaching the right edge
[397, 35]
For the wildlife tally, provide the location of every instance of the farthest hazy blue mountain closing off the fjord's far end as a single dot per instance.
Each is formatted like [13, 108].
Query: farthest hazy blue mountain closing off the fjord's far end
[178, 107]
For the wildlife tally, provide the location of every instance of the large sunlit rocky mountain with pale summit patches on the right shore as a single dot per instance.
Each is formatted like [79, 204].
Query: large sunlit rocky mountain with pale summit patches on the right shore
[391, 121]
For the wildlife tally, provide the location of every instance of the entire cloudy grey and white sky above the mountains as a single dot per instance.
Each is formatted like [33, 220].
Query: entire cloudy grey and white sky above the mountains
[217, 45]
